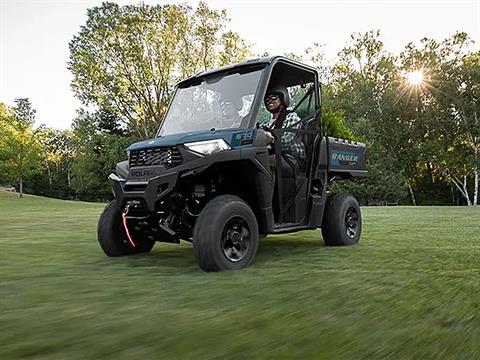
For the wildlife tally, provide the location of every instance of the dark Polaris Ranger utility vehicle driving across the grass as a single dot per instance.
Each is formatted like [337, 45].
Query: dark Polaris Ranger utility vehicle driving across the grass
[203, 181]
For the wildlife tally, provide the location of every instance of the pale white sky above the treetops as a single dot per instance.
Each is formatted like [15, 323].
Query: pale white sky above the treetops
[34, 36]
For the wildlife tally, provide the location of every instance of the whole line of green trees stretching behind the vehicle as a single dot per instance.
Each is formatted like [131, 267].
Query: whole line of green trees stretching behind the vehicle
[423, 133]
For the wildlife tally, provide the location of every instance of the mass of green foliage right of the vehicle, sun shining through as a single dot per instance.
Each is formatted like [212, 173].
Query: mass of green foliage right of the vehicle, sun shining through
[429, 131]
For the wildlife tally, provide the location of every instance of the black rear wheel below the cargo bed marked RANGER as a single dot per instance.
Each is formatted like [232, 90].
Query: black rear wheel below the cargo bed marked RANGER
[342, 221]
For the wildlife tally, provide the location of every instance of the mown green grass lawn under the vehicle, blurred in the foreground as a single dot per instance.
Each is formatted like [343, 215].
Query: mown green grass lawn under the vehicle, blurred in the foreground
[410, 289]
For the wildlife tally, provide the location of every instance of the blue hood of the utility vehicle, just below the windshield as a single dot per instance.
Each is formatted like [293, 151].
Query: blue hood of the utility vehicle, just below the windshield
[231, 137]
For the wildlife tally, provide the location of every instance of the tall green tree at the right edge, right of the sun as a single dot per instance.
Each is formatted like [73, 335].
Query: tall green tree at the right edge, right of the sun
[447, 103]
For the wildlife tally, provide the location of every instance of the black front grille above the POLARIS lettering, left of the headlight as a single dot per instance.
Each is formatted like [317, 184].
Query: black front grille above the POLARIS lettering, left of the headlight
[168, 157]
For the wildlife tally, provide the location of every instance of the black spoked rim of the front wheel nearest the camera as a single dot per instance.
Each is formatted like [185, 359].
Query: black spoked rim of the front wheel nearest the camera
[236, 239]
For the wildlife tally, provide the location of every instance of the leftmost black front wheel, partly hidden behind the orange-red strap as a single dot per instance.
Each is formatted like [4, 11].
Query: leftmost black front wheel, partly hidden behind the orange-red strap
[112, 236]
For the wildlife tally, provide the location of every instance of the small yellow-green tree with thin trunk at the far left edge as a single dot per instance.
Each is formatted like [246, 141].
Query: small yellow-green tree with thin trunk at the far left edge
[20, 146]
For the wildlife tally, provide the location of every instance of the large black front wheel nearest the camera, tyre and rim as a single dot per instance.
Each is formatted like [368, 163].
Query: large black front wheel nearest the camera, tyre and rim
[225, 236]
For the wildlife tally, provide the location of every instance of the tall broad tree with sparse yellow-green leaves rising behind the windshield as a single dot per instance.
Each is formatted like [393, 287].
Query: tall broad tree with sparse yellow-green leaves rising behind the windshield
[127, 59]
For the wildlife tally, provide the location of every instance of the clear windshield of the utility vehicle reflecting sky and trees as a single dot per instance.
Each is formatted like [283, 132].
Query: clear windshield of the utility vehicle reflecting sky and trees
[218, 102]
